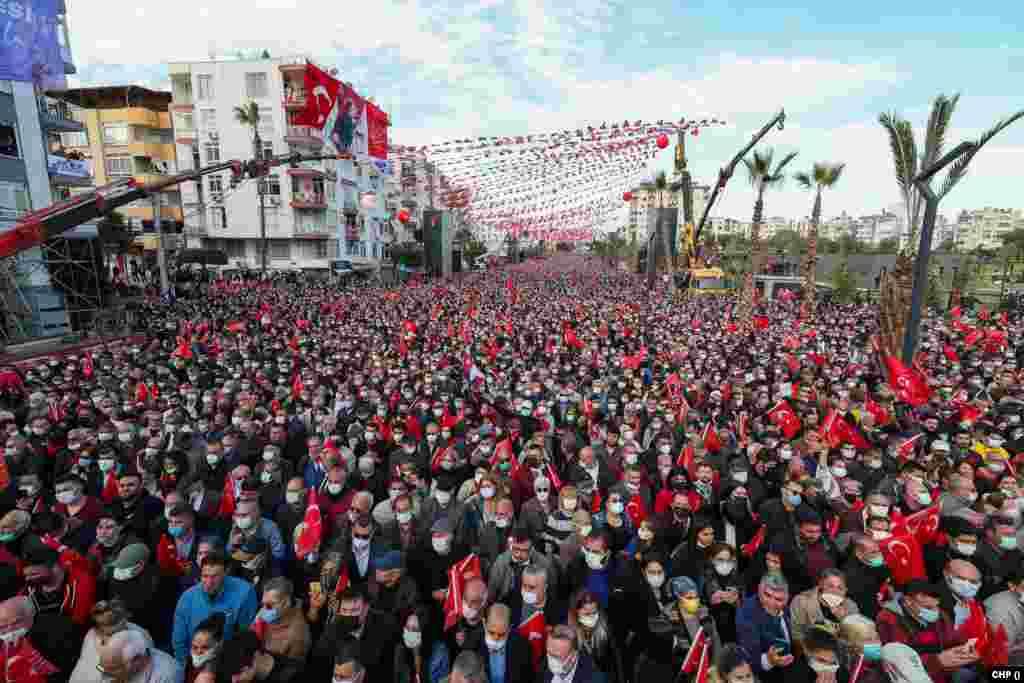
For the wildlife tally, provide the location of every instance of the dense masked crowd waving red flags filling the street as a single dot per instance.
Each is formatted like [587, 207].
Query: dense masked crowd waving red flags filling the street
[541, 474]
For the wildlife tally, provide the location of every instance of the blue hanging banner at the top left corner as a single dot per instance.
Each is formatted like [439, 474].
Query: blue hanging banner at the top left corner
[30, 47]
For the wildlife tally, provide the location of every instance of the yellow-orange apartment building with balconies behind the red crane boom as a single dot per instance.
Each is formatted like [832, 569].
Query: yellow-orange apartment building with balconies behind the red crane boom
[127, 134]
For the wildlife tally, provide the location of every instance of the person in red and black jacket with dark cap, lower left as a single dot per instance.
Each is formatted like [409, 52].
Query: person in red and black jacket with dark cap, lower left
[59, 588]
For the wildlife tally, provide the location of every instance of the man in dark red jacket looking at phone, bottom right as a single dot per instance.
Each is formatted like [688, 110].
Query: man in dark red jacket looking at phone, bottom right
[916, 620]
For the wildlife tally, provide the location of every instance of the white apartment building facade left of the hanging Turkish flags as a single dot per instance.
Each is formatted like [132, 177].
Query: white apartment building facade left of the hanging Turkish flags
[302, 212]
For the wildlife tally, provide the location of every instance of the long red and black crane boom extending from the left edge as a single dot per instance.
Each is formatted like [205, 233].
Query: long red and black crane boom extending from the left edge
[38, 227]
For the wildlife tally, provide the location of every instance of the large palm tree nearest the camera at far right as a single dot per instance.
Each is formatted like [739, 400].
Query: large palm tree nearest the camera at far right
[898, 286]
